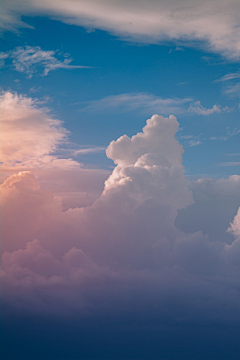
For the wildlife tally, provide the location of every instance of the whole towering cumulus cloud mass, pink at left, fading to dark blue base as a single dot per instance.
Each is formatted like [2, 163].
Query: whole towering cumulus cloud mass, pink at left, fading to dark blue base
[123, 252]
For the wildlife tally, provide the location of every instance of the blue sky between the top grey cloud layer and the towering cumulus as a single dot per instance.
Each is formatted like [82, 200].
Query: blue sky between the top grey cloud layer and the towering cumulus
[116, 67]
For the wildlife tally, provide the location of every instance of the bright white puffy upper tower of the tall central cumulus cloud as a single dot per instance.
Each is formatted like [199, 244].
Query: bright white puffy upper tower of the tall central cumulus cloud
[149, 164]
